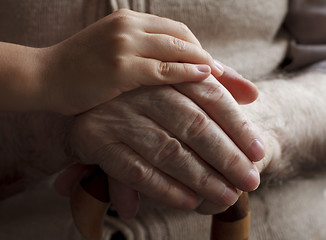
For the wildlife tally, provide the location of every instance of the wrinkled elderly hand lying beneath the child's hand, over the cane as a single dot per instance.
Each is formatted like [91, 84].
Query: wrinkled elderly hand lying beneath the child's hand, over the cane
[186, 147]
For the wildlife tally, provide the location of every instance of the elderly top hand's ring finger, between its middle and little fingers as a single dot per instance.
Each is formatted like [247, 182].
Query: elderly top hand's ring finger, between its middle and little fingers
[170, 156]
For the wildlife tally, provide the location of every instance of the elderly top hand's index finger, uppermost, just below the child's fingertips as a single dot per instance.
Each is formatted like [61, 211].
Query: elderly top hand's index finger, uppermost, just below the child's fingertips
[217, 102]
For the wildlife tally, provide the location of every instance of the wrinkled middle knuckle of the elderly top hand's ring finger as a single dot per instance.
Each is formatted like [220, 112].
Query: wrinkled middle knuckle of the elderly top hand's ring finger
[170, 151]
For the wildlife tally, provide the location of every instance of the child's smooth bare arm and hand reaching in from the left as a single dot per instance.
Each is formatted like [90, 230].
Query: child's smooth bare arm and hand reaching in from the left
[95, 65]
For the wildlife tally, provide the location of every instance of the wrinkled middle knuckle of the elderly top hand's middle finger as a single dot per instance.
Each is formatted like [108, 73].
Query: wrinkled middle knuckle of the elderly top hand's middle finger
[197, 125]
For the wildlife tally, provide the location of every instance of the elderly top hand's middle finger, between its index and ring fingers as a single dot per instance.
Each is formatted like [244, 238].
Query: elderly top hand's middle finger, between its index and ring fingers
[193, 127]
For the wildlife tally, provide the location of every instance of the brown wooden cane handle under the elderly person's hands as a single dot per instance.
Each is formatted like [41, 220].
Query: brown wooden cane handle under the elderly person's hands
[90, 200]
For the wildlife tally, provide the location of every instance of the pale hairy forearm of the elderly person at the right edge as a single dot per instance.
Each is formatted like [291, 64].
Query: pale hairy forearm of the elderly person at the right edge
[292, 115]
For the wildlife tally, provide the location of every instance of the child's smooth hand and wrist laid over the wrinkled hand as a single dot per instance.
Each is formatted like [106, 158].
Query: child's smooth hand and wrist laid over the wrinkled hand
[122, 51]
